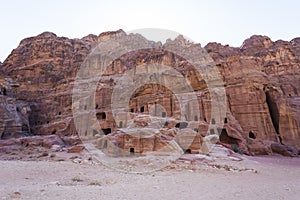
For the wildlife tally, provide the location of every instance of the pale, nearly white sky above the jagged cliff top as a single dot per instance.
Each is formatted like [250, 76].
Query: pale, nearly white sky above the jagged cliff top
[227, 22]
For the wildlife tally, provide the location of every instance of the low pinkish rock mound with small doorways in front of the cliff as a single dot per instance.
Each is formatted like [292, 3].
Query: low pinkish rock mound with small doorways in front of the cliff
[148, 138]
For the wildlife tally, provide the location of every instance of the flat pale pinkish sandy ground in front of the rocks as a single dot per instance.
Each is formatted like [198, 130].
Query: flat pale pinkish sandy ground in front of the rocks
[252, 178]
